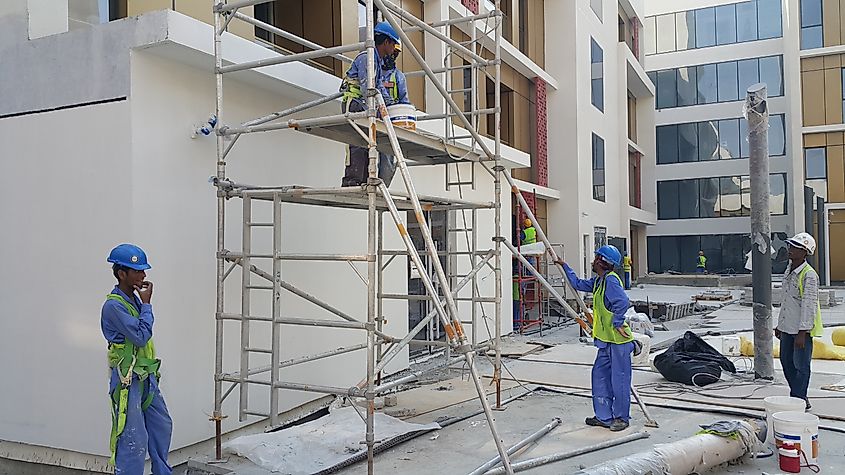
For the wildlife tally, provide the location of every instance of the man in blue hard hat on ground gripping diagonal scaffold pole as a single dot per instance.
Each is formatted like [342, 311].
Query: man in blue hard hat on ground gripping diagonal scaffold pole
[611, 375]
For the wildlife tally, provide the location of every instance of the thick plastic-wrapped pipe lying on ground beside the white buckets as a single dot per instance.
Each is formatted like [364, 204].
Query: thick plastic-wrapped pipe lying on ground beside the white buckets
[696, 454]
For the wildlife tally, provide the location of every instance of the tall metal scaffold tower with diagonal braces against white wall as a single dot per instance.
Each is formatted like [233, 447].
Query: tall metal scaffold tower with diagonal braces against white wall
[373, 129]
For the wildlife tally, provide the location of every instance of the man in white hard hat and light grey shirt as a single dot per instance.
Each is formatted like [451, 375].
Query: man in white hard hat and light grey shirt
[800, 318]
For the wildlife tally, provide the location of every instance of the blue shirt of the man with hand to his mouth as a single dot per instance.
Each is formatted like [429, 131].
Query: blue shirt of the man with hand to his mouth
[118, 324]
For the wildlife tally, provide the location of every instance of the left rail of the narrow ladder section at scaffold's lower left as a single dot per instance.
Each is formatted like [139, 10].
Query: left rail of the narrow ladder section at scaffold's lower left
[246, 293]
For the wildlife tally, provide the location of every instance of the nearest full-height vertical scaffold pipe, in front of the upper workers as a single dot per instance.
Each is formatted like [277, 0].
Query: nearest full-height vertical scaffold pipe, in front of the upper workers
[372, 184]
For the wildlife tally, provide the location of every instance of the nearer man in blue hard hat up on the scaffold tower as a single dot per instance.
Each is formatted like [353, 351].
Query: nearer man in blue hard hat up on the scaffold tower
[353, 87]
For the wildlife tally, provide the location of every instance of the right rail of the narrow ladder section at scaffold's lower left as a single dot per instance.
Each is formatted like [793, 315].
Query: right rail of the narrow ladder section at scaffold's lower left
[275, 355]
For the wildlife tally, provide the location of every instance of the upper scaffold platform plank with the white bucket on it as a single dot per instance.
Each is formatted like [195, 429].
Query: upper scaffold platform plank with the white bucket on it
[419, 147]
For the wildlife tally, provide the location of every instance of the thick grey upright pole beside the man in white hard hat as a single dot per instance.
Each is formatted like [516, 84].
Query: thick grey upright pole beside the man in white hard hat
[757, 114]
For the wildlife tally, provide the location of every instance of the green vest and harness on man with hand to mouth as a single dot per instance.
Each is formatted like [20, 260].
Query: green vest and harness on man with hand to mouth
[129, 360]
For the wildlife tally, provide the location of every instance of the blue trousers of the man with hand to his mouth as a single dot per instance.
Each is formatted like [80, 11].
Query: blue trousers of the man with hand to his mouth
[145, 431]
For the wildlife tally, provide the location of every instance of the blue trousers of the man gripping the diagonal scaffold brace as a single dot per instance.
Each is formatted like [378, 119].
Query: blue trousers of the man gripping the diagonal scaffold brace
[612, 382]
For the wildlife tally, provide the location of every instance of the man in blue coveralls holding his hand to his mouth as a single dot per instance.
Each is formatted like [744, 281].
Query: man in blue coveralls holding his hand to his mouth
[140, 420]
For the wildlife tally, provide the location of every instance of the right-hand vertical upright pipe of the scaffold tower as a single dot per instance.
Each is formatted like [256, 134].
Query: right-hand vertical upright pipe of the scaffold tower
[497, 123]
